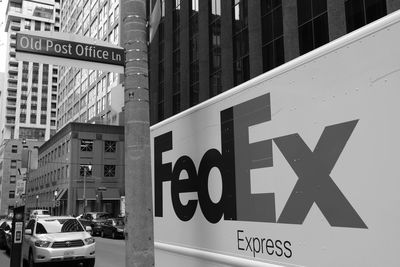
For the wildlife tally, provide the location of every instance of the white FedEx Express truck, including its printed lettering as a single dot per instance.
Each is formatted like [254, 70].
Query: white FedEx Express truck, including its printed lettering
[296, 167]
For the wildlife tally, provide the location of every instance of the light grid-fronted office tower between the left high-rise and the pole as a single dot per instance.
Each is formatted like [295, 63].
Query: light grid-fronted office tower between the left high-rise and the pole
[89, 95]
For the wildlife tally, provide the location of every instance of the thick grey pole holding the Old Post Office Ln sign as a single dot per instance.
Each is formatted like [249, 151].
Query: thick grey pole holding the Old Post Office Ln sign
[138, 190]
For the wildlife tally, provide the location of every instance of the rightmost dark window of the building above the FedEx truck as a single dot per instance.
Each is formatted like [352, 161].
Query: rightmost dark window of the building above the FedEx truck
[361, 12]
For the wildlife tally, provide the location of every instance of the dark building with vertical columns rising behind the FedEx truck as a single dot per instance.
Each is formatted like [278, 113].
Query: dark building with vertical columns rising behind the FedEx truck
[203, 48]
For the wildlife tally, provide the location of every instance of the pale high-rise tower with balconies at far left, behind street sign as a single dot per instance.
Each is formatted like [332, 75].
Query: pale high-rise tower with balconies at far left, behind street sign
[30, 98]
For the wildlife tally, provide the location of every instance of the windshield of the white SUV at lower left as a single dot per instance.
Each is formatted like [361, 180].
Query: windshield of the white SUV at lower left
[51, 226]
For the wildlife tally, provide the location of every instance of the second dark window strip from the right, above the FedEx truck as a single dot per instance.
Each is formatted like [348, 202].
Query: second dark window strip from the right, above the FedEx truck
[313, 24]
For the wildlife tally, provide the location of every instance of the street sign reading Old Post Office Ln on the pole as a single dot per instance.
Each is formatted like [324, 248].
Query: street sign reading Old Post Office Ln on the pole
[69, 49]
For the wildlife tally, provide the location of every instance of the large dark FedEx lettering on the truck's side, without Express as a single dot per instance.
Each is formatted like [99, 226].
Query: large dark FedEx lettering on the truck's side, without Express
[237, 157]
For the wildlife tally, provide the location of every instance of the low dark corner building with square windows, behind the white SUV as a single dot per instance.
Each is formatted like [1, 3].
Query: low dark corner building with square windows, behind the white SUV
[82, 161]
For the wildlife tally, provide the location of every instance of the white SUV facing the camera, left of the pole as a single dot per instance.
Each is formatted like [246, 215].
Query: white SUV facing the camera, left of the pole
[56, 239]
